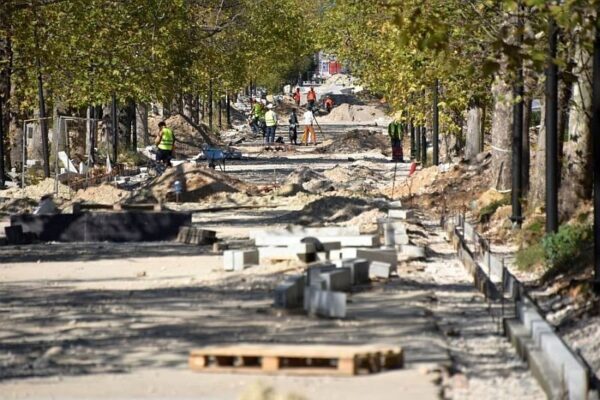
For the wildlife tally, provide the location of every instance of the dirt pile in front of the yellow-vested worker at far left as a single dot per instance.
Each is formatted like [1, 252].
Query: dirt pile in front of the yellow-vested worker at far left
[197, 183]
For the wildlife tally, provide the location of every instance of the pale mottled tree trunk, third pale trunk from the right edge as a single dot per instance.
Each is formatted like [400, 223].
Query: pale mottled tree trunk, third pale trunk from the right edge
[502, 122]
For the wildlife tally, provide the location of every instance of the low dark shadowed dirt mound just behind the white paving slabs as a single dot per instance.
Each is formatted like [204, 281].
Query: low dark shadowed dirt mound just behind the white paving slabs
[330, 209]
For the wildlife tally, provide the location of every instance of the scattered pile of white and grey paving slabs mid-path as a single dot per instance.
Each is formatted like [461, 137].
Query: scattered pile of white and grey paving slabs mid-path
[337, 259]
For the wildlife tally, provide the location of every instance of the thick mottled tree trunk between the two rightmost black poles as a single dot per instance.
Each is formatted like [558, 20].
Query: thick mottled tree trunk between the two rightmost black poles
[577, 174]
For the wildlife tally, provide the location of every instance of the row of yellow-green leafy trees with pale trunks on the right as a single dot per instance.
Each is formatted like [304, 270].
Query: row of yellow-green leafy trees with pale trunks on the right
[490, 58]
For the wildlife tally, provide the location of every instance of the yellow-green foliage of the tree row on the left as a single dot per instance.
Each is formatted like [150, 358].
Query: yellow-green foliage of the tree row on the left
[75, 54]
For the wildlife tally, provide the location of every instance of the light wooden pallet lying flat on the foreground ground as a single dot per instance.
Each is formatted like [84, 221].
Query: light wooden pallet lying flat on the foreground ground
[297, 359]
